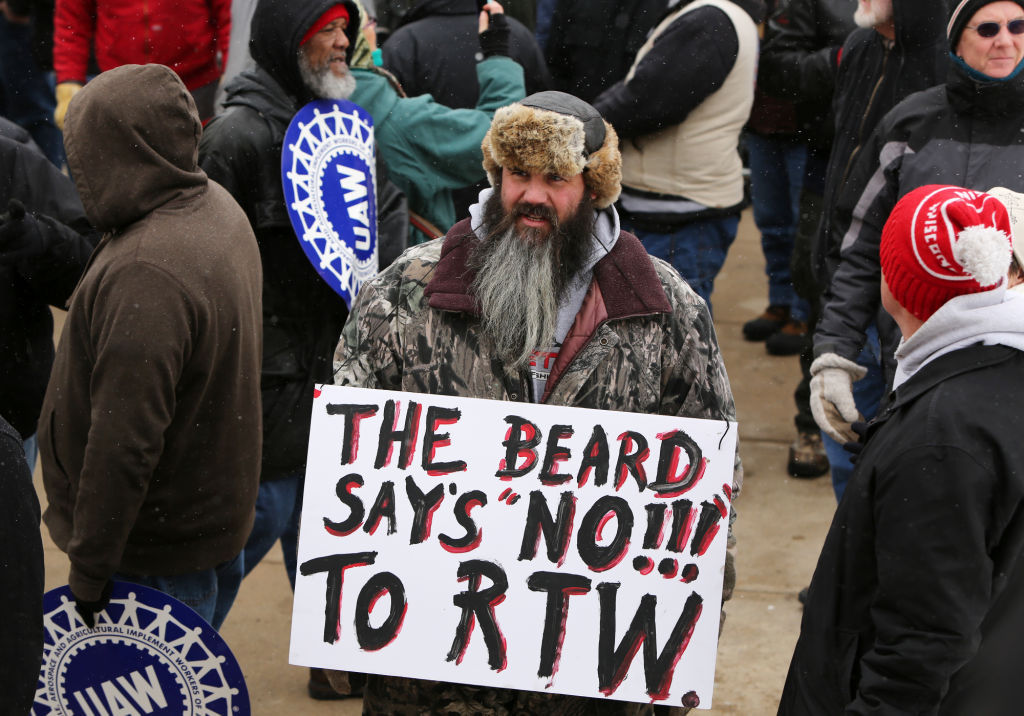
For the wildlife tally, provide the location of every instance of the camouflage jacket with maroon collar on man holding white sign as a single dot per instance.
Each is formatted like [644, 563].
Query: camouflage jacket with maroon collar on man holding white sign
[643, 342]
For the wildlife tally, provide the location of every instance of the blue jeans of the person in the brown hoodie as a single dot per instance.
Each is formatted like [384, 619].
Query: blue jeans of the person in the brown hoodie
[210, 593]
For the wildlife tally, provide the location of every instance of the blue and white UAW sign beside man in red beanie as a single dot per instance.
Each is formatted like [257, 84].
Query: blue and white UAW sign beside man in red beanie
[329, 175]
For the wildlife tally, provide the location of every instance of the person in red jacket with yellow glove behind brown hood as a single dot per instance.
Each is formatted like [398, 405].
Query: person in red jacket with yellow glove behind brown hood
[189, 36]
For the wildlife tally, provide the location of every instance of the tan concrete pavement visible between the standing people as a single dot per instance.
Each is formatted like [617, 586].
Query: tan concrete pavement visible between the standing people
[781, 526]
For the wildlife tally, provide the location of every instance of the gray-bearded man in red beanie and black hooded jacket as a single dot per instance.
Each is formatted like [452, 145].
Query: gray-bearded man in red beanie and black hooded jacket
[302, 52]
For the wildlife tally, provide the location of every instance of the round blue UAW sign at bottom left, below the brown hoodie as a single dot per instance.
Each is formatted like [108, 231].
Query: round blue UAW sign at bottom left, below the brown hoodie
[148, 654]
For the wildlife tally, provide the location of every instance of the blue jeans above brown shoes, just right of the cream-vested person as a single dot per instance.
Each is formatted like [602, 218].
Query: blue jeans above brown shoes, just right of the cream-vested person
[777, 181]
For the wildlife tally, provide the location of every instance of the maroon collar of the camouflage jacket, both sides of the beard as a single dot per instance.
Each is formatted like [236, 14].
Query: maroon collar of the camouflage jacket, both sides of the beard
[629, 285]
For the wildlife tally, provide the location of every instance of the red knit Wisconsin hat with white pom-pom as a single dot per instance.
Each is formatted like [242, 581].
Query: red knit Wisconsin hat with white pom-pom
[942, 242]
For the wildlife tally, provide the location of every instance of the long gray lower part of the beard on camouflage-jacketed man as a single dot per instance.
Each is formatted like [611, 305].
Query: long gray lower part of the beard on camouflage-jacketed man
[516, 285]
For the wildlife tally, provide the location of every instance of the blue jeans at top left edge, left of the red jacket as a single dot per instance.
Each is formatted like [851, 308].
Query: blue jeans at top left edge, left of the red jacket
[28, 92]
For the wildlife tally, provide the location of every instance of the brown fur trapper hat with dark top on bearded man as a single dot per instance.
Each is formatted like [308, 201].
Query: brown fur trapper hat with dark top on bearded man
[557, 134]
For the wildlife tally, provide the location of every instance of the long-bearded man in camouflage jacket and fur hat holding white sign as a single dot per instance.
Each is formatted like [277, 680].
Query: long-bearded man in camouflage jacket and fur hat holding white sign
[537, 297]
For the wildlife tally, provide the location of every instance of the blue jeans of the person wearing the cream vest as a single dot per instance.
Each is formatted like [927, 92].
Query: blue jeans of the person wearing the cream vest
[697, 250]
